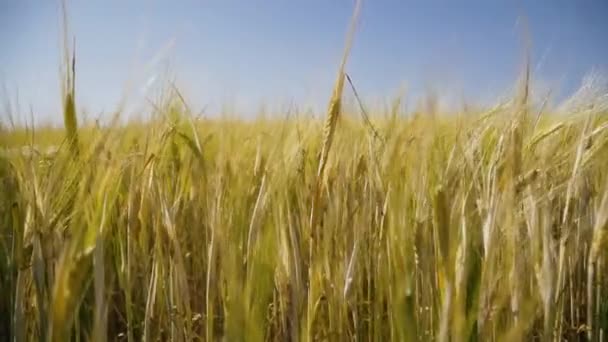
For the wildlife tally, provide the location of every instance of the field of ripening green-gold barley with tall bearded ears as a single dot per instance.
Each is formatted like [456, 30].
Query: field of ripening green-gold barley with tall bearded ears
[482, 225]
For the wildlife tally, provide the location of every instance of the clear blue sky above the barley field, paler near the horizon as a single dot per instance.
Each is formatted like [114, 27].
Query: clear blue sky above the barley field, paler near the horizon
[278, 51]
